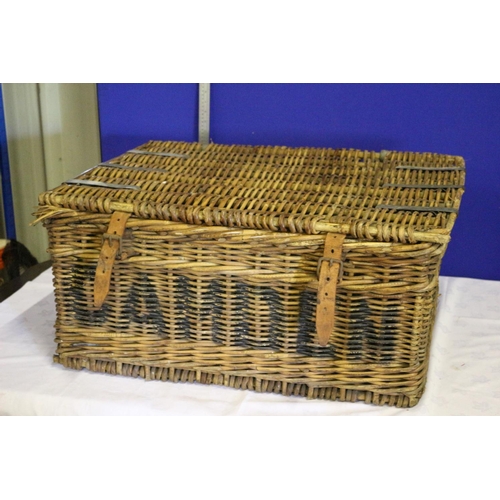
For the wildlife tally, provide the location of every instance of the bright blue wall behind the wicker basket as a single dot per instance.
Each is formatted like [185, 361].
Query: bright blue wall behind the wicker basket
[444, 118]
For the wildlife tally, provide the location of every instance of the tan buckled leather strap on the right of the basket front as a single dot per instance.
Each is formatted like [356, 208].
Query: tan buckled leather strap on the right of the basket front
[329, 267]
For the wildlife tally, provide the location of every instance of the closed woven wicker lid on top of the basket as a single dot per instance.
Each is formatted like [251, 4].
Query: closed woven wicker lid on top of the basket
[386, 196]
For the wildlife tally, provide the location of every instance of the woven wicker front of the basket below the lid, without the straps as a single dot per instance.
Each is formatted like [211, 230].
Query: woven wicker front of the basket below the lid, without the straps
[217, 300]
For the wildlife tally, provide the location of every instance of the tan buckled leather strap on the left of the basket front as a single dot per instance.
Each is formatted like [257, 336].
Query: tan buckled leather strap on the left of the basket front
[111, 246]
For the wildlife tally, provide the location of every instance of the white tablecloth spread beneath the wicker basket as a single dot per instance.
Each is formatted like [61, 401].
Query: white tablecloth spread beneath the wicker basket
[463, 378]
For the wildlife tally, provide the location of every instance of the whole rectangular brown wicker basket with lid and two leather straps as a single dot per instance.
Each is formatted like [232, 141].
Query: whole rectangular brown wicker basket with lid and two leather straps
[298, 271]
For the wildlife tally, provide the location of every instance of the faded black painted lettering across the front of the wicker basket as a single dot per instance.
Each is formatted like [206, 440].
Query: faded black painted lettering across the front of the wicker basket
[238, 314]
